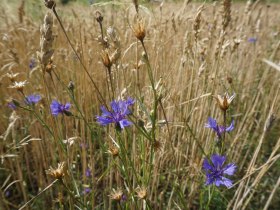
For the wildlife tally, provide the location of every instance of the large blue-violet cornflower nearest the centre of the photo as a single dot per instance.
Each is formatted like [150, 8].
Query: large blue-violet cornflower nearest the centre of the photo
[117, 115]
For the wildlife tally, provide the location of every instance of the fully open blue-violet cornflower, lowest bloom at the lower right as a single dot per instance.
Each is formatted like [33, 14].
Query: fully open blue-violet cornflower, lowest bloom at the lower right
[216, 170]
